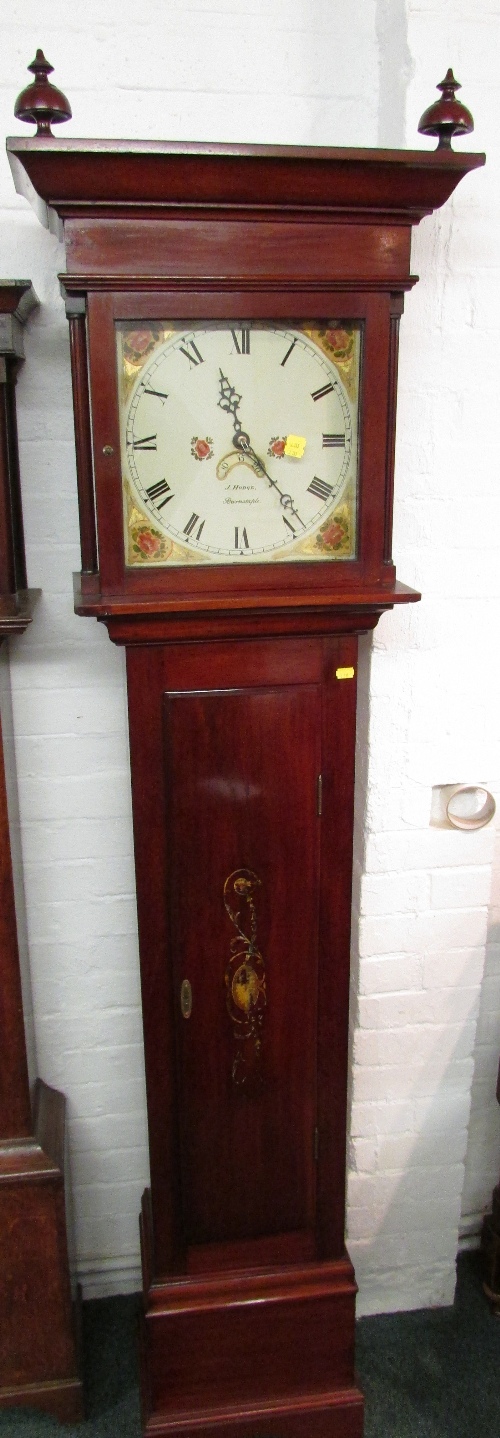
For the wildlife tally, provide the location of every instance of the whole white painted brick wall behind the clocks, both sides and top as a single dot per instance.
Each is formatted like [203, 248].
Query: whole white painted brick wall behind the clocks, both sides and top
[426, 1128]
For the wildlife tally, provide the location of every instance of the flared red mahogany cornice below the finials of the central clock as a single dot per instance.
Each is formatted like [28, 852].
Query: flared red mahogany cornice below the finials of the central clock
[107, 176]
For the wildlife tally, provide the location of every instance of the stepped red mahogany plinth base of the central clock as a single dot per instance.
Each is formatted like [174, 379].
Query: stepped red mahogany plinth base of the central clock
[244, 1352]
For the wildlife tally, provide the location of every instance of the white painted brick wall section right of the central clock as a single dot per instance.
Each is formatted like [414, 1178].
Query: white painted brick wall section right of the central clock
[425, 892]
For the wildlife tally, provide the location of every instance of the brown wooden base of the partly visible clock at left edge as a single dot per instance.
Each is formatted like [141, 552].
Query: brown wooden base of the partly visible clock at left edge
[38, 1342]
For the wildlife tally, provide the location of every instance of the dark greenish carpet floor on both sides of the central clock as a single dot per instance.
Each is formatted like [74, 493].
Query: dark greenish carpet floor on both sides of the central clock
[433, 1374]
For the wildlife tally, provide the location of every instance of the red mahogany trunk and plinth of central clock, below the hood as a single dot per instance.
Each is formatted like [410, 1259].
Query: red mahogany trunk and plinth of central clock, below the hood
[242, 789]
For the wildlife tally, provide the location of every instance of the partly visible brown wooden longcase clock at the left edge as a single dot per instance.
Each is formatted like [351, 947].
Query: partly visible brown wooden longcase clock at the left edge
[38, 1345]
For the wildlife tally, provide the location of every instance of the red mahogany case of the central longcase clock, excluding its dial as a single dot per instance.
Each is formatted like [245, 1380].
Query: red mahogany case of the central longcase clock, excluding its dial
[242, 727]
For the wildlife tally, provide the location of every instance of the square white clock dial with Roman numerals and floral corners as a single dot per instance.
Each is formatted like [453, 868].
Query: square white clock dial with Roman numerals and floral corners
[239, 442]
